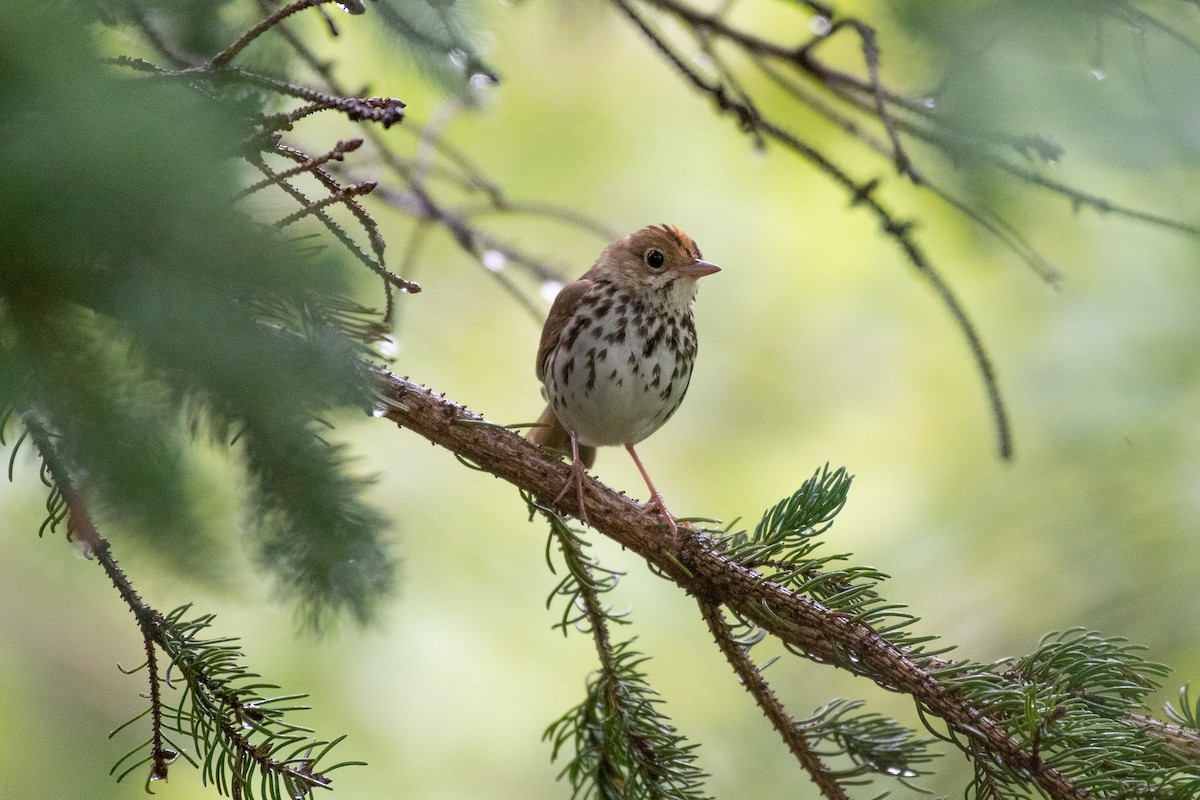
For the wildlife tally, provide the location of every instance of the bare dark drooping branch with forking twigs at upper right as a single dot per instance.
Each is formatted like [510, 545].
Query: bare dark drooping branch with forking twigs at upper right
[862, 99]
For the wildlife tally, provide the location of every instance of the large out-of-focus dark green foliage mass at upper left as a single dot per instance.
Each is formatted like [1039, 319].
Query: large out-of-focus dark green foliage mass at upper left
[137, 304]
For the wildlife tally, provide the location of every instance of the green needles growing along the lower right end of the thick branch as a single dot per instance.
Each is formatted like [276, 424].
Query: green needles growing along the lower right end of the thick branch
[1072, 702]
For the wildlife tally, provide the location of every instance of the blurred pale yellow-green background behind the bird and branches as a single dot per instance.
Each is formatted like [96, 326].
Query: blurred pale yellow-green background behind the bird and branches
[818, 345]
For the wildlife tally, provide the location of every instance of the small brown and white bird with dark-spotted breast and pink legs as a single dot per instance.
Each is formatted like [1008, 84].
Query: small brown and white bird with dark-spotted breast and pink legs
[617, 352]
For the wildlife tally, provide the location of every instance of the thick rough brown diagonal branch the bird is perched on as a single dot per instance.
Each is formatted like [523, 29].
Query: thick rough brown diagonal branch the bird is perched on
[698, 566]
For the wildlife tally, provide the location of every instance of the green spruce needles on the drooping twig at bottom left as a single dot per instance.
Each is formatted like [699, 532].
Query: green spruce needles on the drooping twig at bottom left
[245, 743]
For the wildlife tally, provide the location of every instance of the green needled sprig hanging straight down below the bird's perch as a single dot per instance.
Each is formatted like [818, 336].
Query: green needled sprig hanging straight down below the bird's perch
[623, 747]
